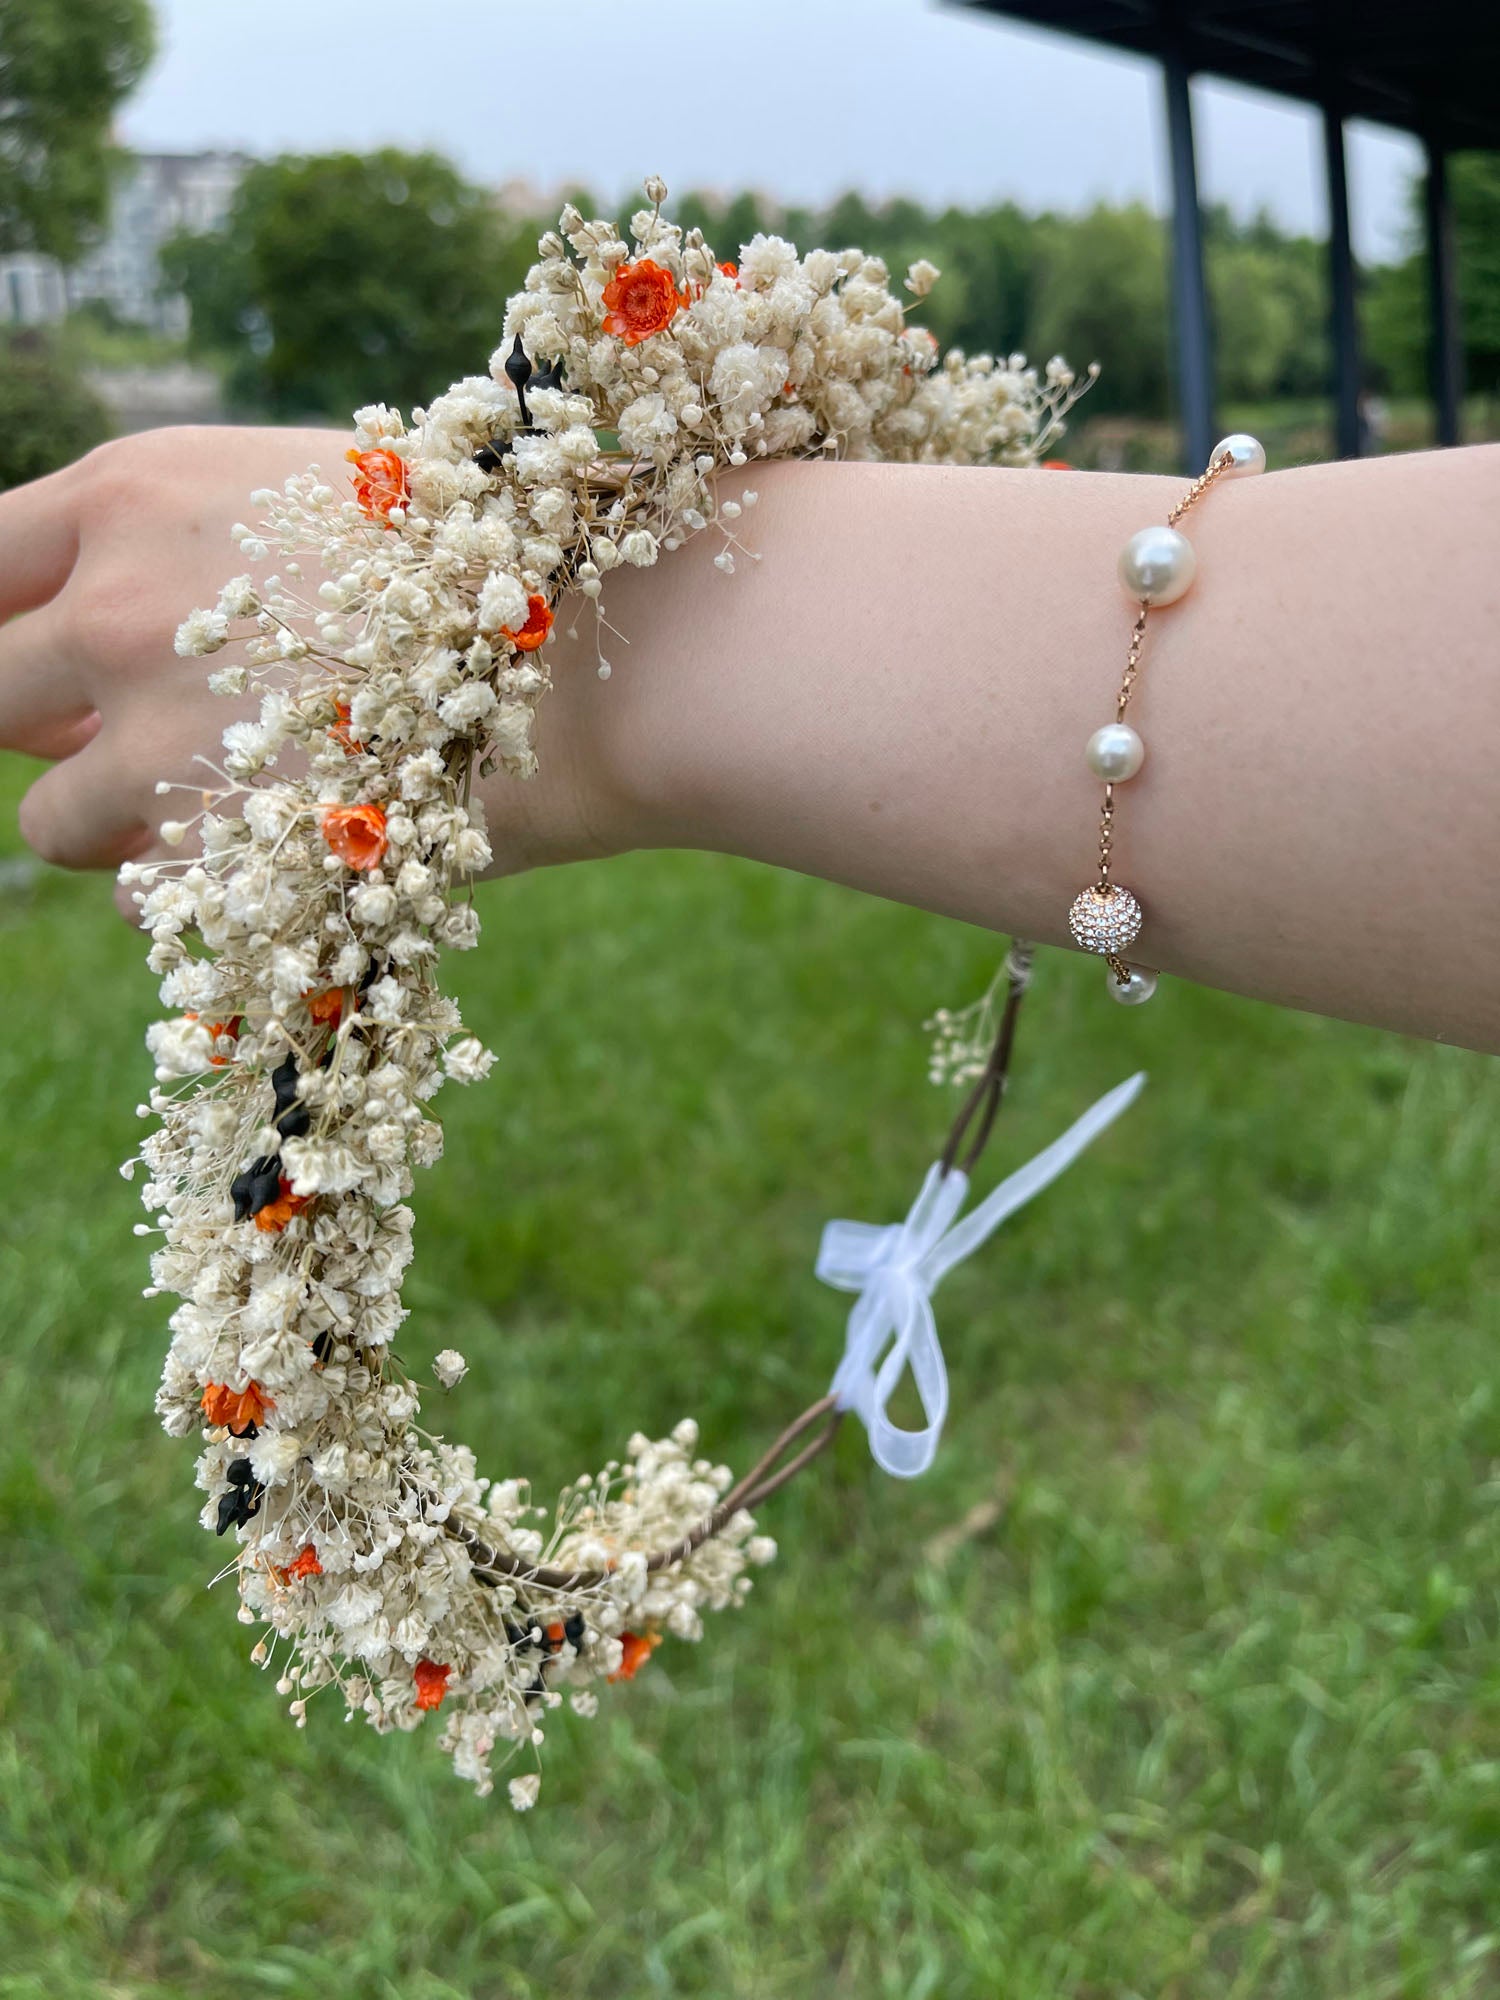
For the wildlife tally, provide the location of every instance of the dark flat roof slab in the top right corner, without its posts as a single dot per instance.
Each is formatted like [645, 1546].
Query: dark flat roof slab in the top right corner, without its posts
[1429, 69]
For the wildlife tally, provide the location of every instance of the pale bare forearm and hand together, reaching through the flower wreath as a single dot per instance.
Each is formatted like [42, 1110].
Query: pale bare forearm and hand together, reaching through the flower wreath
[897, 695]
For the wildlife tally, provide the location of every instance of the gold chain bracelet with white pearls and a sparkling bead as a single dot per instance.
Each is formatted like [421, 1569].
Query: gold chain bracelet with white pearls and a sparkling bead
[1157, 567]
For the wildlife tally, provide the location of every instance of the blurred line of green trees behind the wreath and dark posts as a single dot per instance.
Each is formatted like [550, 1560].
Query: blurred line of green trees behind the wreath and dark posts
[339, 279]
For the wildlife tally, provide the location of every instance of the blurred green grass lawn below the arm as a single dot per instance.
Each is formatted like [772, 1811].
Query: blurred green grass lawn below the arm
[1211, 1709]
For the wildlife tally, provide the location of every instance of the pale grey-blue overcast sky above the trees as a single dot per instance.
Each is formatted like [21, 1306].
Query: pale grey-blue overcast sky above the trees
[801, 99]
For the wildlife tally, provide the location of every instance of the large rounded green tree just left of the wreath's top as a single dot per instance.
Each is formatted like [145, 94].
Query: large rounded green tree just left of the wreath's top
[347, 279]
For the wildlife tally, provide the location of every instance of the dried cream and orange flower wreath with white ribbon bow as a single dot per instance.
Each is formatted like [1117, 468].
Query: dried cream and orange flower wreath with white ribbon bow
[297, 949]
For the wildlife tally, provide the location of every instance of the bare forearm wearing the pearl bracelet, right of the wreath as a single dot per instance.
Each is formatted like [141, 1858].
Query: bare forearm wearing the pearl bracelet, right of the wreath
[899, 697]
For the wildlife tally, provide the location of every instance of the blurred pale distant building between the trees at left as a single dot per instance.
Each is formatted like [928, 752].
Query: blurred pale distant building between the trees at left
[159, 195]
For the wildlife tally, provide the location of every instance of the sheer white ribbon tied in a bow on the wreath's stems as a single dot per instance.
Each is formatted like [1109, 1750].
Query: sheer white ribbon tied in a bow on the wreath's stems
[895, 1269]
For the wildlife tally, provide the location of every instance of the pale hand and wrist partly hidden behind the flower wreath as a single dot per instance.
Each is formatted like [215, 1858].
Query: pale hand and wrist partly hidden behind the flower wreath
[99, 565]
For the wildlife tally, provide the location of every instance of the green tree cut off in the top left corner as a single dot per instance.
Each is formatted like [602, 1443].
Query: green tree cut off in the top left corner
[65, 65]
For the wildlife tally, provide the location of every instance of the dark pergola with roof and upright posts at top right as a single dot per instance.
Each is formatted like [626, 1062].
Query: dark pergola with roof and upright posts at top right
[1427, 69]
